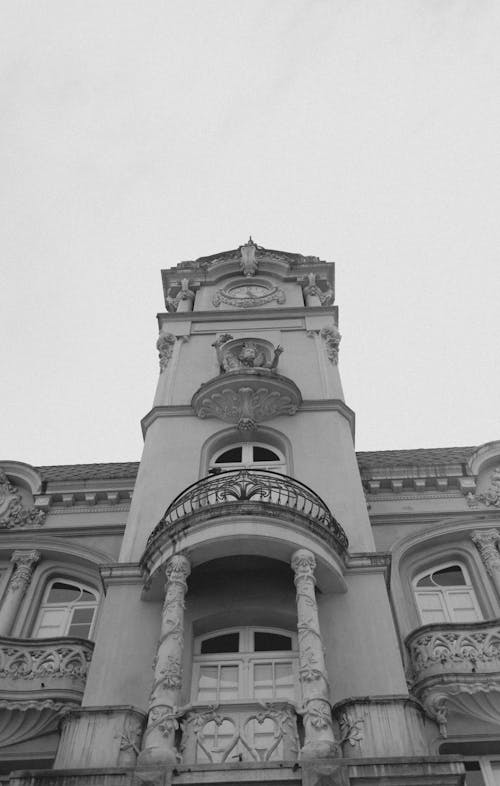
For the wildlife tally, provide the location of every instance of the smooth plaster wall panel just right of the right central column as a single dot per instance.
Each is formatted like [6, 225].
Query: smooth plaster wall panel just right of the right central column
[362, 652]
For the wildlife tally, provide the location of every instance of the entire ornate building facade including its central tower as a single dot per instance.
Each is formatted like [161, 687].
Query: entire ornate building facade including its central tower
[253, 601]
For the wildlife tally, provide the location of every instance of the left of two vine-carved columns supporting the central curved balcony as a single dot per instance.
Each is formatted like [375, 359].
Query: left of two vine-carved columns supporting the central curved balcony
[159, 737]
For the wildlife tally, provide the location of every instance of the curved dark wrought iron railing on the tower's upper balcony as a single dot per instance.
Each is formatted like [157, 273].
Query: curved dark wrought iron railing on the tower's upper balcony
[262, 490]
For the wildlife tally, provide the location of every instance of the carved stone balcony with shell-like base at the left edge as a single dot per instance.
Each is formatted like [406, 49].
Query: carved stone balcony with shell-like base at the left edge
[40, 679]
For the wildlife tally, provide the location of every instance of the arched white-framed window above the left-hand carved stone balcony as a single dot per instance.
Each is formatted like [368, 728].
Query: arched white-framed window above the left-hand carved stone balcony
[68, 609]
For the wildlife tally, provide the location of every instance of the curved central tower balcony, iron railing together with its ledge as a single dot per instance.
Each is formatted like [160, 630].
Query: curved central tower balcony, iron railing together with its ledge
[252, 493]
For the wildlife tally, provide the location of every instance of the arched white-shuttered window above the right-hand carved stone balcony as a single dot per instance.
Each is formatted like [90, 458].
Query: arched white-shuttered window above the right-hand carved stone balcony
[446, 594]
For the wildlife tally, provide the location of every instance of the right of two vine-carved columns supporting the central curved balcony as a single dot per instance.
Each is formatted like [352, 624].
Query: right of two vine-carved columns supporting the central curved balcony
[319, 737]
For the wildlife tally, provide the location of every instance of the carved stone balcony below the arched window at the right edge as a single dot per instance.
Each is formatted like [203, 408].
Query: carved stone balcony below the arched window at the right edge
[456, 667]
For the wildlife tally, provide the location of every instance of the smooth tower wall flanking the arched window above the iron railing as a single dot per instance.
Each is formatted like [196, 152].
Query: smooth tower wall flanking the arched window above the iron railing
[325, 461]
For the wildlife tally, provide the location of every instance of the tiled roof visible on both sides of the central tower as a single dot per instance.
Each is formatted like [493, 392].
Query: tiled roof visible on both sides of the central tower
[367, 460]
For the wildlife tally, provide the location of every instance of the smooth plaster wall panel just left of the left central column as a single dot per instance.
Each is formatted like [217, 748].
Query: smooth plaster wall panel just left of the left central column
[126, 641]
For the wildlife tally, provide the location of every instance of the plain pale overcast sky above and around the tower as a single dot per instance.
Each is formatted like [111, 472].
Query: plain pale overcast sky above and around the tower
[137, 134]
